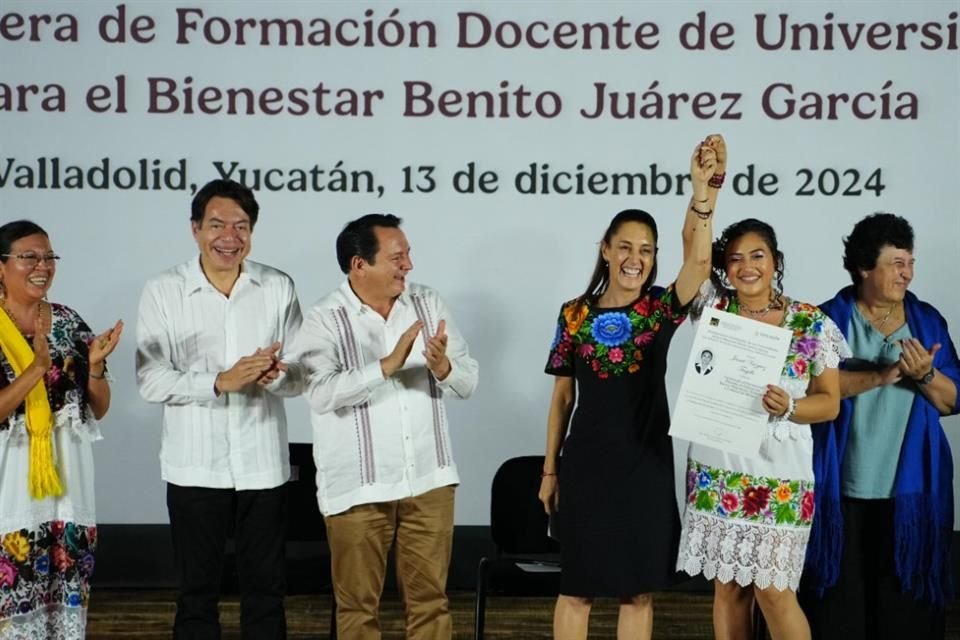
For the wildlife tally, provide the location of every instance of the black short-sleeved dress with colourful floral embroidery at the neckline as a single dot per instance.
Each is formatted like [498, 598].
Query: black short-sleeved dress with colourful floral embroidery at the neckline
[617, 520]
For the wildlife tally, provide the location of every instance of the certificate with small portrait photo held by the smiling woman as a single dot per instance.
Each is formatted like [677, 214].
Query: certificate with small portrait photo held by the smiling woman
[732, 361]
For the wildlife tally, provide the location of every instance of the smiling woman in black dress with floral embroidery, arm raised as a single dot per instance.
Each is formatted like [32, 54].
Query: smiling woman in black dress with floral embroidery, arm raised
[613, 493]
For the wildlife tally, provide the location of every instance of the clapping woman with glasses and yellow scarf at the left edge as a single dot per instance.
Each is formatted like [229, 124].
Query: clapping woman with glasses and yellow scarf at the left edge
[53, 389]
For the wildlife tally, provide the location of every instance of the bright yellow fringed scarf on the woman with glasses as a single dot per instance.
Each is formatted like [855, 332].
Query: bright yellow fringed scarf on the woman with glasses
[43, 480]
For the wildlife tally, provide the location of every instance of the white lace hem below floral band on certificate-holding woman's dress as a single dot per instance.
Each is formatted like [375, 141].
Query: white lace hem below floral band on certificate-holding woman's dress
[726, 549]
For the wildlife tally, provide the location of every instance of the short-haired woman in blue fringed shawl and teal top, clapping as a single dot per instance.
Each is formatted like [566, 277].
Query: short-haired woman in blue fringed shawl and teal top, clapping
[878, 562]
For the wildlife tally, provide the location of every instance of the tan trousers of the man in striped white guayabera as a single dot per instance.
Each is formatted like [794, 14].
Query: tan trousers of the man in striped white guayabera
[360, 540]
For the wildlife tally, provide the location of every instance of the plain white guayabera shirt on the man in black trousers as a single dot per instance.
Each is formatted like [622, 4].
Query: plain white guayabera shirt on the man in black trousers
[188, 332]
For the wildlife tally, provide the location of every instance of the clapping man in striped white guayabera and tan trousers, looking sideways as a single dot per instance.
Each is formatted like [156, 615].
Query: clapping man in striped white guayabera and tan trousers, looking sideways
[380, 355]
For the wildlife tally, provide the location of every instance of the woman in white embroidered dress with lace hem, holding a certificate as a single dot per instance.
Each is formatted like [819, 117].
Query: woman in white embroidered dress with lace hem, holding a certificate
[747, 520]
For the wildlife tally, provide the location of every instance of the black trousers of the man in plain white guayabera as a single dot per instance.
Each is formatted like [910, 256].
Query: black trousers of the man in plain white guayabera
[200, 521]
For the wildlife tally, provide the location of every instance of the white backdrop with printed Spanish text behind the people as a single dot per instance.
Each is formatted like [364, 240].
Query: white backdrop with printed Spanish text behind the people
[504, 260]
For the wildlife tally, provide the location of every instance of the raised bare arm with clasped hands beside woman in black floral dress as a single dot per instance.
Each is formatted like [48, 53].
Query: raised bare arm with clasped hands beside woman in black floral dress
[707, 168]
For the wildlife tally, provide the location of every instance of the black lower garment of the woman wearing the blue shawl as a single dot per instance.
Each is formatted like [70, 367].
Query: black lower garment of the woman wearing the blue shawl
[867, 602]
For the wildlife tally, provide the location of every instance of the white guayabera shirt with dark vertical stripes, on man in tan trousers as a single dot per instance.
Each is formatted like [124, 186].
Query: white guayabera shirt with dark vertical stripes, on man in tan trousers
[377, 439]
